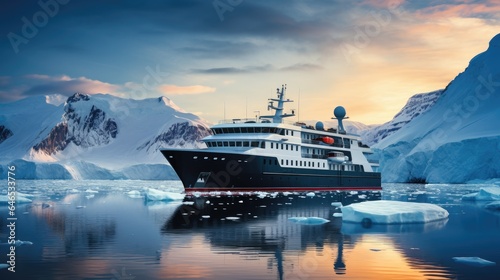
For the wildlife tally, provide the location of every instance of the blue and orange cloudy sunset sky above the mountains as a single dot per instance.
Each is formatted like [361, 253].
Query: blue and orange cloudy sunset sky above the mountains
[225, 58]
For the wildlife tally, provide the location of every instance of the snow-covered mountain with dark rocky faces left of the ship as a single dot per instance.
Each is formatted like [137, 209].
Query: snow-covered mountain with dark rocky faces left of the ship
[94, 136]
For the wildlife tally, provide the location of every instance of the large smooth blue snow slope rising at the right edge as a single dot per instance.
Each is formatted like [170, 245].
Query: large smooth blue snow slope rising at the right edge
[458, 138]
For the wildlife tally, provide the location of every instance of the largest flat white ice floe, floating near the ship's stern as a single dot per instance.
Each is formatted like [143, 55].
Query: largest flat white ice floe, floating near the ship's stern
[392, 212]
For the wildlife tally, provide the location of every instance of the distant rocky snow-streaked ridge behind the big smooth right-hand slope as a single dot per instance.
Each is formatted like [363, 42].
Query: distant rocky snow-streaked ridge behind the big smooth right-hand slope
[416, 105]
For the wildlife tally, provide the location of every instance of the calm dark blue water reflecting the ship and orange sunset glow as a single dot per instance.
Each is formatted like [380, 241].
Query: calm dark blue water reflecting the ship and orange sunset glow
[103, 233]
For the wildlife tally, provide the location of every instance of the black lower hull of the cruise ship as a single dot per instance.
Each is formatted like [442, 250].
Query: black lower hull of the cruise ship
[201, 170]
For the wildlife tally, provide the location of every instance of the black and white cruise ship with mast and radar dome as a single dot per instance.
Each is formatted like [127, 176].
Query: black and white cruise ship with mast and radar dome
[269, 154]
